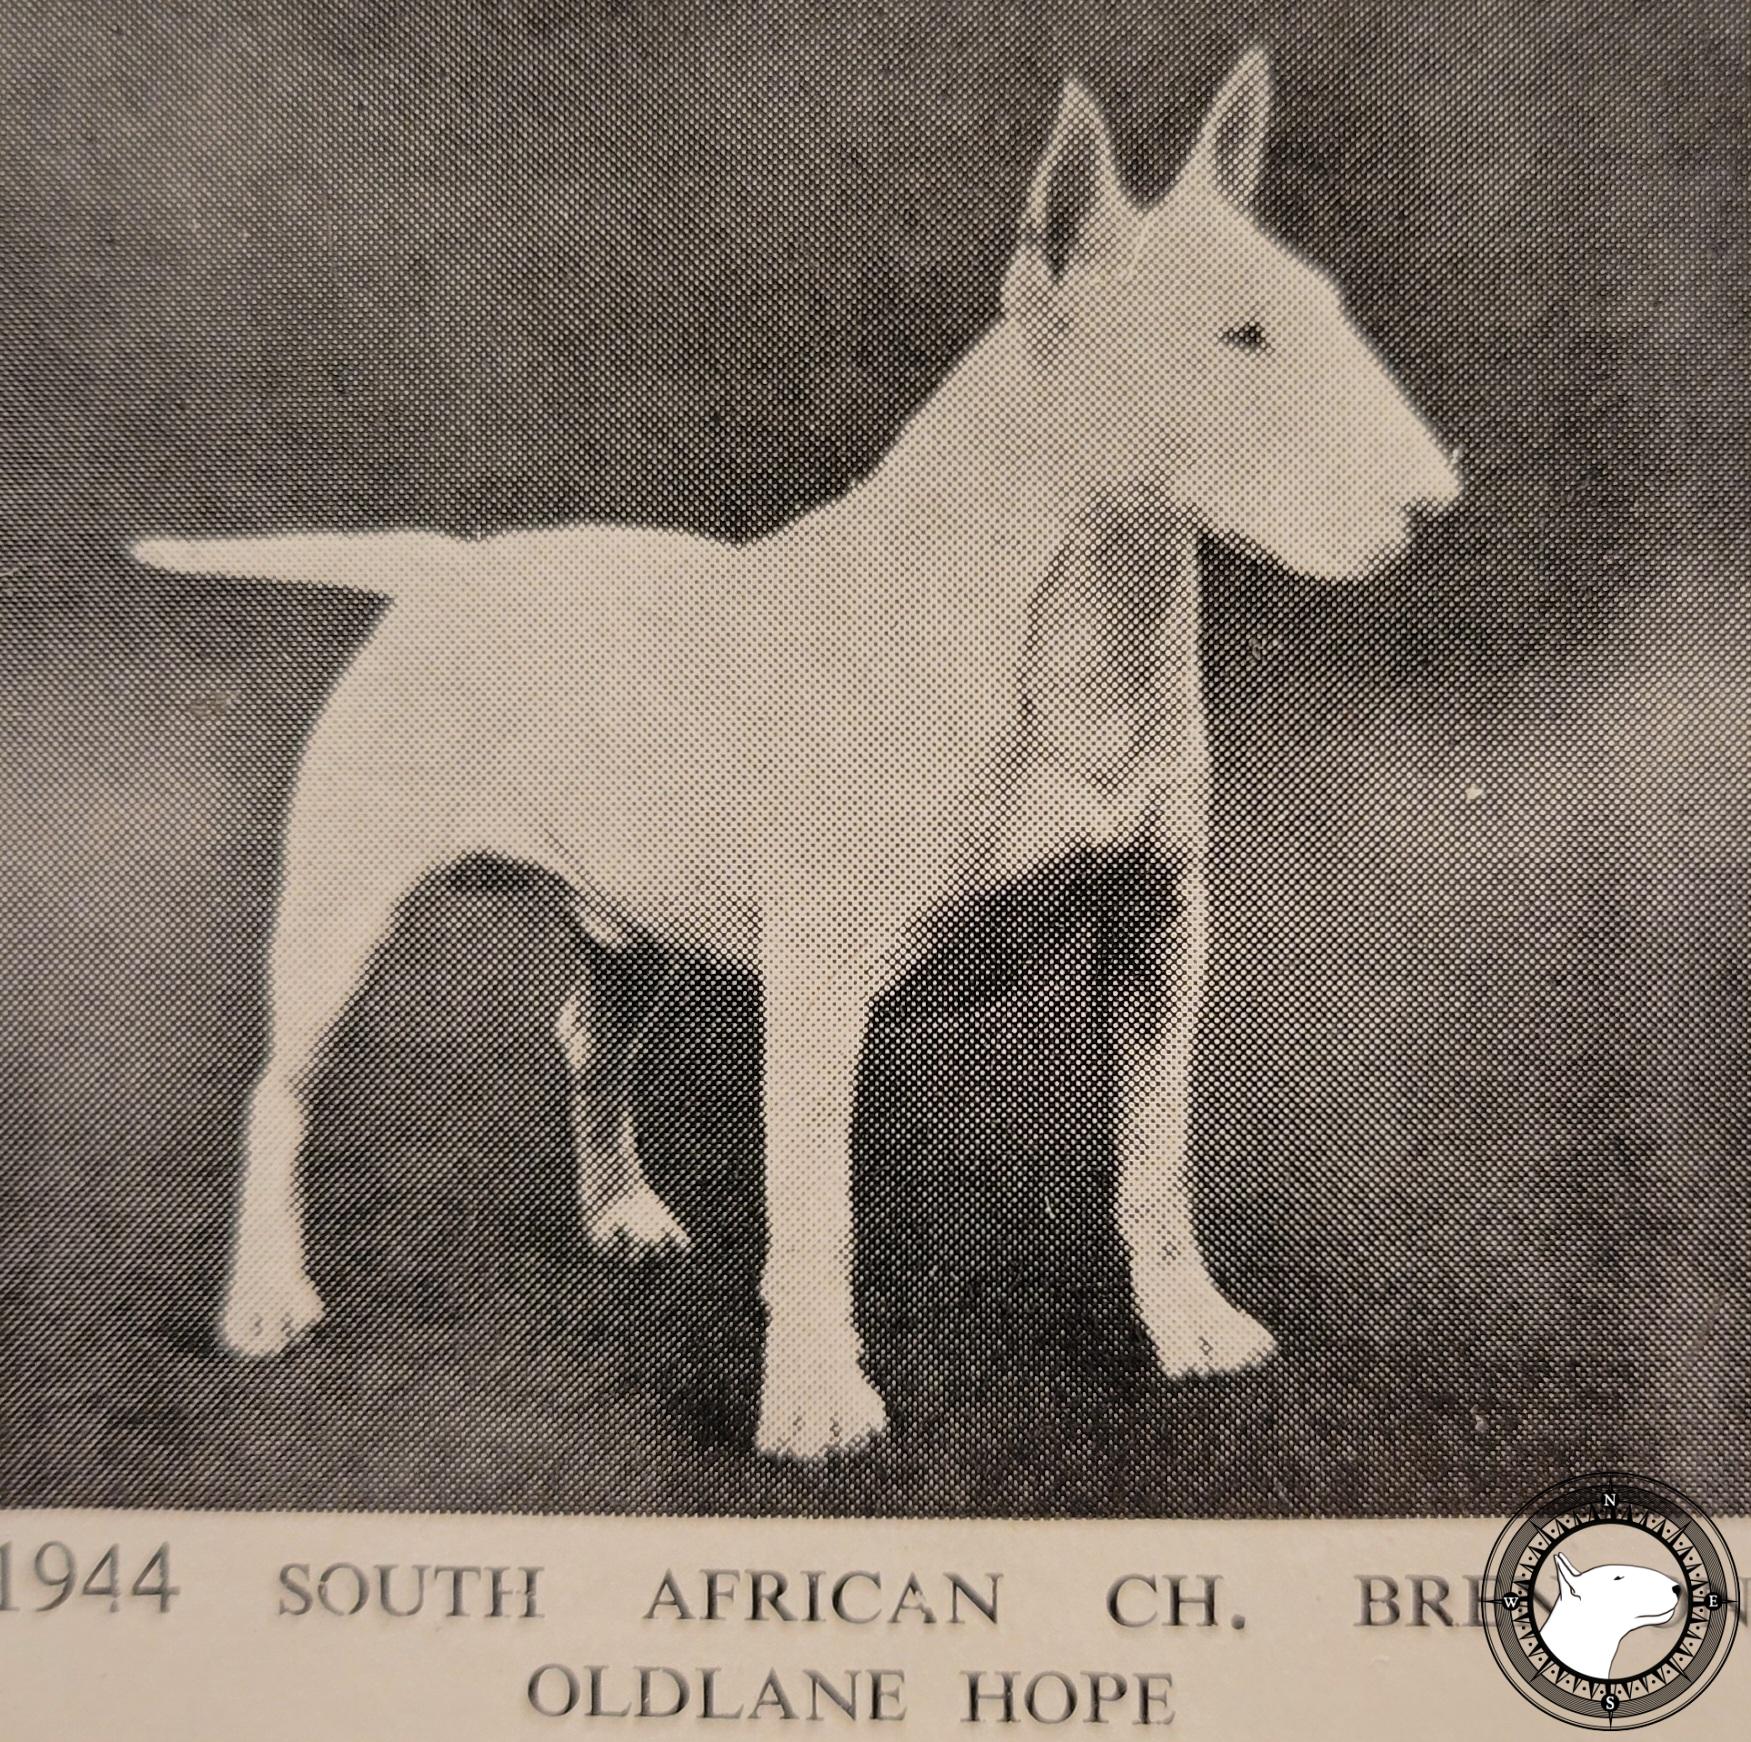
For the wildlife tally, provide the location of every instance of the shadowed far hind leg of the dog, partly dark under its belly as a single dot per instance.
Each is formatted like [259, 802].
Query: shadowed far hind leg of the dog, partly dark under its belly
[603, 1039]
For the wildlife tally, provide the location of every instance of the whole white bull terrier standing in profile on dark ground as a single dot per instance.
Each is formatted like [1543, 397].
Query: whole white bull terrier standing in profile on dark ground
[801, 750]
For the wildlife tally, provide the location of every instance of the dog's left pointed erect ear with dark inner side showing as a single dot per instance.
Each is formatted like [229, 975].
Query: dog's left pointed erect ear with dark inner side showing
[1079, 218]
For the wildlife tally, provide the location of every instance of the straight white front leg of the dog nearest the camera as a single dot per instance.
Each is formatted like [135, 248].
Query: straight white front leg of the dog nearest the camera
[813, 1396]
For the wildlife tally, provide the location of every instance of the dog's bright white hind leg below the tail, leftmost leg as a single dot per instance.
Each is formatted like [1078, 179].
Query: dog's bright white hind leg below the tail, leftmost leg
[339, 901]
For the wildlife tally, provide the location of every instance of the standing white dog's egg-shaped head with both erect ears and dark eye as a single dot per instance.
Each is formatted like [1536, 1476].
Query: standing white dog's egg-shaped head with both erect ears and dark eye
[1192, 356]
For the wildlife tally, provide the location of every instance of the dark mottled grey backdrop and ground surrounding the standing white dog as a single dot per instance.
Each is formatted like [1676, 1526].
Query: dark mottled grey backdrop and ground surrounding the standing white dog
[1472, 1127]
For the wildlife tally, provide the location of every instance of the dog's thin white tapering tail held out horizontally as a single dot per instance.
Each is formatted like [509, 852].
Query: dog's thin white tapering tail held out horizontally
[395, 565]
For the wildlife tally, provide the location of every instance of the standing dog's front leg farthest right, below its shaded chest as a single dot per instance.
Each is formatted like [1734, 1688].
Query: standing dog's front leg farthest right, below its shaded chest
[1190, 1321]
